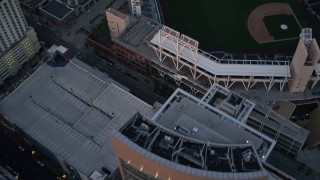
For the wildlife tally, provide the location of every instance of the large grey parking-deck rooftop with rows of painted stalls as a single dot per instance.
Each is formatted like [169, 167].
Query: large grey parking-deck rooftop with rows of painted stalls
[71, 110]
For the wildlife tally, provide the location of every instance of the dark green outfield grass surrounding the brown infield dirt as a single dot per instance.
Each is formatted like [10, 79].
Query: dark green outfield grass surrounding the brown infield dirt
[221, 24]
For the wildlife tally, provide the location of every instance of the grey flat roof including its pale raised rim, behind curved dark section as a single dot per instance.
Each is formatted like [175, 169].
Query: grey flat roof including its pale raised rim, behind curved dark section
[191, 117]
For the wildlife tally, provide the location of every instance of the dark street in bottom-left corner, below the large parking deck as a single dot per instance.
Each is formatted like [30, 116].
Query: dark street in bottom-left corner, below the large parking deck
[16, 156]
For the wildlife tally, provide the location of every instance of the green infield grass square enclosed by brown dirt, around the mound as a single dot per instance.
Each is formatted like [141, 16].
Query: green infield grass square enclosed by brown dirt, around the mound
[273, 24]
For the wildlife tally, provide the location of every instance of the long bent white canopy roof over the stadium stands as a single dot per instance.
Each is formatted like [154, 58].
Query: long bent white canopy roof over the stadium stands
[213, 66]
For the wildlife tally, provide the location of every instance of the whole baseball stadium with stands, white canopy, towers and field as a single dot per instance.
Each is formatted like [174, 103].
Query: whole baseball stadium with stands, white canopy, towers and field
[274, 49]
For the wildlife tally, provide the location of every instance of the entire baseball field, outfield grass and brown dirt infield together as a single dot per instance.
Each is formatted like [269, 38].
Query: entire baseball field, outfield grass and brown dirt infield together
[235, 25]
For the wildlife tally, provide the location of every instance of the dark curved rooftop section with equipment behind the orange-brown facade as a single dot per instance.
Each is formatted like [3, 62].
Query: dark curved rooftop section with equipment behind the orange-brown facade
[188, 152]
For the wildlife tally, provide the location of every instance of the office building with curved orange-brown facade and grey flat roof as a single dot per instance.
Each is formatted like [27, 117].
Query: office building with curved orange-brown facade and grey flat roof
[188, 139]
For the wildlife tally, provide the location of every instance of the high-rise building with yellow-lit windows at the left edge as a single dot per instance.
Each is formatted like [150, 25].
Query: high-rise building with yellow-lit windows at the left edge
[18, 41]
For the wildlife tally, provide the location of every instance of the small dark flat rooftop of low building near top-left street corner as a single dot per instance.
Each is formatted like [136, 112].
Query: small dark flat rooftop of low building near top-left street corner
[56, 9]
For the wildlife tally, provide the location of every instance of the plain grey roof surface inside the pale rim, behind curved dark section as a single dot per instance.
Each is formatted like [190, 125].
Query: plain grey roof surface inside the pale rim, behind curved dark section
[203, 124]
